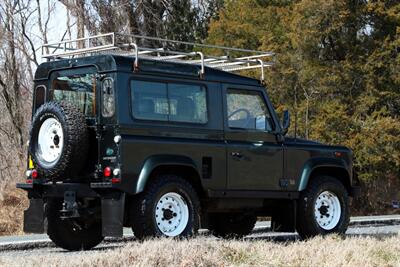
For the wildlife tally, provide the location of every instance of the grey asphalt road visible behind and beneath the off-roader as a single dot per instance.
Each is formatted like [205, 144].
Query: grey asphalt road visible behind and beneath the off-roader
[40, 244]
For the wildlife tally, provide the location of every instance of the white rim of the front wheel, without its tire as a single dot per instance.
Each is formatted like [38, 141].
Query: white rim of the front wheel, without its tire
[327, 210]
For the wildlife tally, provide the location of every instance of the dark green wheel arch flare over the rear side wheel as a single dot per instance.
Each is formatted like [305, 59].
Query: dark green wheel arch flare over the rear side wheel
[169, 164]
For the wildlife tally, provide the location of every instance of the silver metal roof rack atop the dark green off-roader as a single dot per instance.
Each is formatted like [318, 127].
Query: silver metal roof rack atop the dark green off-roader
[127, 44]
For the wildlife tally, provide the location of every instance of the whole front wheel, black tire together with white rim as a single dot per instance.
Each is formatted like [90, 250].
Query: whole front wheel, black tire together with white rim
[323, 208]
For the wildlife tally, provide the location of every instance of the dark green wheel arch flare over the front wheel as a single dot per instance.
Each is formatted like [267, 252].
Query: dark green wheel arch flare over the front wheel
[326, 166]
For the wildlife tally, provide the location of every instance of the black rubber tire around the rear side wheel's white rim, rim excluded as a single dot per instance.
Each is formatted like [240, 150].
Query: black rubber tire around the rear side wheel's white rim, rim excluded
[142, 211]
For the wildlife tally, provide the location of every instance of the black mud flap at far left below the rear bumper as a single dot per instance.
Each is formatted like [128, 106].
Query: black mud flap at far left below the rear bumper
[34, 216]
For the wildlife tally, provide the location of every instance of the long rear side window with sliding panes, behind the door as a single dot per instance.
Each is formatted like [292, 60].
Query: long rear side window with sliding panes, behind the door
[169, 102]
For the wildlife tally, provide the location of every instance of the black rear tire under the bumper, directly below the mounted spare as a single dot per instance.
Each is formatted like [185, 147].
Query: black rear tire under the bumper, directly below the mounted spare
[66, 235]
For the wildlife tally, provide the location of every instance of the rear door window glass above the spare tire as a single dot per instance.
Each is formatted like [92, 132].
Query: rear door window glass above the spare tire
[76, 87]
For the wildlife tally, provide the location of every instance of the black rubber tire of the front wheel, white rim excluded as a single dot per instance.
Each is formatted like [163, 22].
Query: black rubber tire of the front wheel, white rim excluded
[307, 225]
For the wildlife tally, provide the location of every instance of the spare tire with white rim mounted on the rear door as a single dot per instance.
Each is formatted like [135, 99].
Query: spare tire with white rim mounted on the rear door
[58, 140]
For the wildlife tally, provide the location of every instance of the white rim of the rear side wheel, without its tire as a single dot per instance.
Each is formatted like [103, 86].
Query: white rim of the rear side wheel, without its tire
[171, 214]
